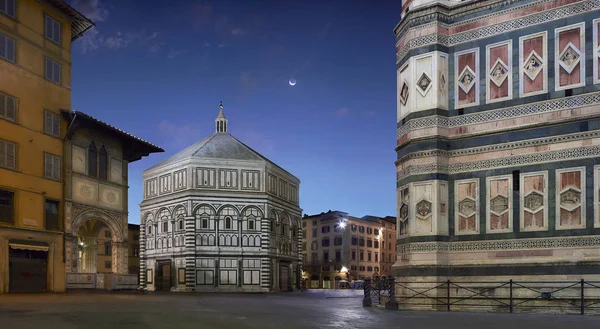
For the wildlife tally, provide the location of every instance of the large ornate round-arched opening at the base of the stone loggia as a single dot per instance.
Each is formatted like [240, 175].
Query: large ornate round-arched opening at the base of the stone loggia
[96, 250]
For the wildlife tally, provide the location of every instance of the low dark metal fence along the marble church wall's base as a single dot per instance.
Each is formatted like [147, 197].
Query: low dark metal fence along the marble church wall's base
[509, 296]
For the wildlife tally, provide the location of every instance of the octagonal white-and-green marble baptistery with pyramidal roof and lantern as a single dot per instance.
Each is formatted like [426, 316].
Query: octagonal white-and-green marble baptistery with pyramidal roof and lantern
[218, 216]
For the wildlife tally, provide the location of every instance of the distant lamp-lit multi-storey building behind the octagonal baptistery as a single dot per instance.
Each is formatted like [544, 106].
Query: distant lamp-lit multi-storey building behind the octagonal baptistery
[336, 246]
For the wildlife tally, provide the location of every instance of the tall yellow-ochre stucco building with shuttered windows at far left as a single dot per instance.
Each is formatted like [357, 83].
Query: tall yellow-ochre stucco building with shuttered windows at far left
[35, 84]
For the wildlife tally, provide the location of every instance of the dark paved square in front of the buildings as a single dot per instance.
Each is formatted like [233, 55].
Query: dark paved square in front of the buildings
[313, 309]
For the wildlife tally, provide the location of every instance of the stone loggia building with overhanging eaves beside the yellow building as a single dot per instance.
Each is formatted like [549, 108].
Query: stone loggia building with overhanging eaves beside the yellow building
[97, 156]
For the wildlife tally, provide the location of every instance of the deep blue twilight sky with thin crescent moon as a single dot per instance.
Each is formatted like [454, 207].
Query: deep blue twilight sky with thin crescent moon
[158, 69]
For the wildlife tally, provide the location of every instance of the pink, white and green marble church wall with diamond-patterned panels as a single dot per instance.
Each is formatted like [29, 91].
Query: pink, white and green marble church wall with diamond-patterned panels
[498, 134]
